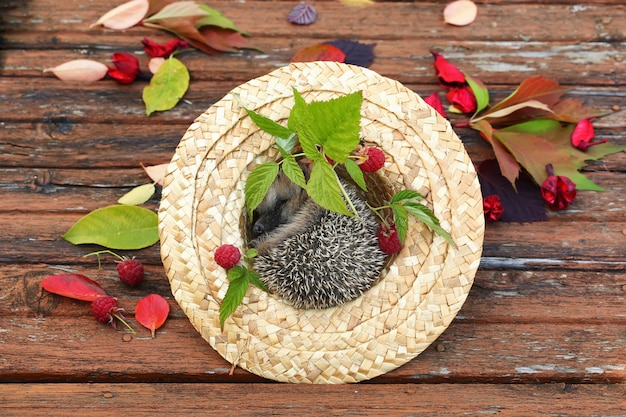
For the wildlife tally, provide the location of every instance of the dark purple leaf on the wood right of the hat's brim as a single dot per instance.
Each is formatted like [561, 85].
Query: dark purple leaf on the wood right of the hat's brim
[522, 203]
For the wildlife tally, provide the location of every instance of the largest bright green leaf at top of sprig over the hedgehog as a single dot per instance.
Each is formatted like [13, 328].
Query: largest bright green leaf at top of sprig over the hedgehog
[334, 125]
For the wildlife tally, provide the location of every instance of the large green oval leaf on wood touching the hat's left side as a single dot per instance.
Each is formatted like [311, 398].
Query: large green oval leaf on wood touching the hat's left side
[116, 227]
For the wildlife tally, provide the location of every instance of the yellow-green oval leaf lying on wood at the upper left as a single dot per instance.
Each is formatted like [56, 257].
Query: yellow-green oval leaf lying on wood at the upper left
[167, 86]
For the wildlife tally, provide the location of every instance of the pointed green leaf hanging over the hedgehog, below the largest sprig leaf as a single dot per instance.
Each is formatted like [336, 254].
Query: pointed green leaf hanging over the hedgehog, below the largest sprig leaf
[323, 187]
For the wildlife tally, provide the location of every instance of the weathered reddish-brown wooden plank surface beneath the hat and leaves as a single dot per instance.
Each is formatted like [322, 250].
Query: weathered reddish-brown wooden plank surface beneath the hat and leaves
[543, 331]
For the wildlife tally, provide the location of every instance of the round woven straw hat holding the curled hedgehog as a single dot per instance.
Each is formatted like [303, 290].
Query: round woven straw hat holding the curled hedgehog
[420, 292]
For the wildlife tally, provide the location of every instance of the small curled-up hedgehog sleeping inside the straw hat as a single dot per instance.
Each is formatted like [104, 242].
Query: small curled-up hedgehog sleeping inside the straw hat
[312, 257]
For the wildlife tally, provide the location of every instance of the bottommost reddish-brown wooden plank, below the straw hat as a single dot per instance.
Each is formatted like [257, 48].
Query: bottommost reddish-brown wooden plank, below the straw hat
[289, 400]
